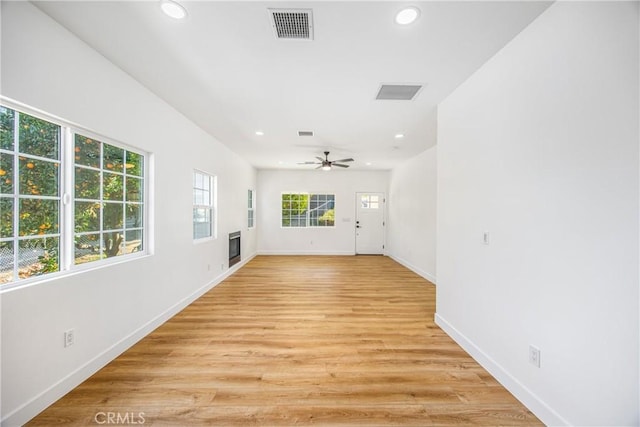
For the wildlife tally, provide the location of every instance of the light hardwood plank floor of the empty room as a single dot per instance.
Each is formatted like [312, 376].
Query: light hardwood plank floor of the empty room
[299, 341]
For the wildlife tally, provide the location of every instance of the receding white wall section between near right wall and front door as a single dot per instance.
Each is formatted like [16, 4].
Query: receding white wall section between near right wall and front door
[411, 231]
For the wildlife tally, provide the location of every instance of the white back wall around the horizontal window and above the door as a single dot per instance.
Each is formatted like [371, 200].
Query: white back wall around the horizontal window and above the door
[338, 240]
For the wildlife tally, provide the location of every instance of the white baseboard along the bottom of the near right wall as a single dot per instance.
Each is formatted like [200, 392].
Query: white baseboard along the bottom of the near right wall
[536, 405]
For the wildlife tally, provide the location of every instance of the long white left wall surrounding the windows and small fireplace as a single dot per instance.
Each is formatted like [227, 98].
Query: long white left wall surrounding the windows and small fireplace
[110, 308]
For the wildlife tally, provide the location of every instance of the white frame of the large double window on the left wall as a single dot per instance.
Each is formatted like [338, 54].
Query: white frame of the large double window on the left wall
[65, 196]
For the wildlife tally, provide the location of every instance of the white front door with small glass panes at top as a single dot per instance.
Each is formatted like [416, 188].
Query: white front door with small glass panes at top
[370, 223]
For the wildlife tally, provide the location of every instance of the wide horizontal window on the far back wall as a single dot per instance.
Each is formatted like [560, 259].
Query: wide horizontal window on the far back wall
[308, 210]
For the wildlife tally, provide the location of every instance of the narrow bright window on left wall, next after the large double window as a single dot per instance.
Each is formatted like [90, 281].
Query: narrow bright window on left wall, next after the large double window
[203, 205]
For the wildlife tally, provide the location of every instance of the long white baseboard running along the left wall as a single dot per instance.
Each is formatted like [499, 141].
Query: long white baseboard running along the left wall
[33, 407]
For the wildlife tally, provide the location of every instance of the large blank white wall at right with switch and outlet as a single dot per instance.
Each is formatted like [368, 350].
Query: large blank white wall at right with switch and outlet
[540, 148]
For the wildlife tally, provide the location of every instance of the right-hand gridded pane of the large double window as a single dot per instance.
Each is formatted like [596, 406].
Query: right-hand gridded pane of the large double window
[108, 200]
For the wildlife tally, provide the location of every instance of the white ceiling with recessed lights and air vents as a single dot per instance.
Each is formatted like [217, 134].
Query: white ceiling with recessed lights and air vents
[223, 68]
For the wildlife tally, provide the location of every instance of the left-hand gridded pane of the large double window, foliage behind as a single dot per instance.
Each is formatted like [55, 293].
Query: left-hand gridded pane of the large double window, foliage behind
[30, 177]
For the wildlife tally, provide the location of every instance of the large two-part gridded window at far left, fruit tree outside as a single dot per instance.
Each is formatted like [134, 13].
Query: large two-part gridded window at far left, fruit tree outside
[35, 178]
